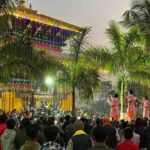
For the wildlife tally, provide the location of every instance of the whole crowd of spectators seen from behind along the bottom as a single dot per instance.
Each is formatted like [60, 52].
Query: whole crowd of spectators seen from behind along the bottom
[72, 133]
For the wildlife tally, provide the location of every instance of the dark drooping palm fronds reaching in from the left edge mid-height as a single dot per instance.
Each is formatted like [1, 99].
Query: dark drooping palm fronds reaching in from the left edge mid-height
[18, 57]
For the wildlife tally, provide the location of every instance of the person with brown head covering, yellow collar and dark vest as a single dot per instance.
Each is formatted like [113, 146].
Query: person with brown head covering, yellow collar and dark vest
[80, 140]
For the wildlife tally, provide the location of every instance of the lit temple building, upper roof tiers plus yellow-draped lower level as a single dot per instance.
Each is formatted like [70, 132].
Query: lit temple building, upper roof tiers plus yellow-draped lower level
[48, 34]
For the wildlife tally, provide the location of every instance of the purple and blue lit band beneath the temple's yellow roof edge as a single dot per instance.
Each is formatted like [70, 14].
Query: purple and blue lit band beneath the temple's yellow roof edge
[48, 35]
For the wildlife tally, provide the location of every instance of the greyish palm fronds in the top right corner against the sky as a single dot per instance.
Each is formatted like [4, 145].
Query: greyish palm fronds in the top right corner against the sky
[139, 15]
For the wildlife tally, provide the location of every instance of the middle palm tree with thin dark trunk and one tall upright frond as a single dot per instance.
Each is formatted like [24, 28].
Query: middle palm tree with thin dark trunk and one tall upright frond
[77, 74]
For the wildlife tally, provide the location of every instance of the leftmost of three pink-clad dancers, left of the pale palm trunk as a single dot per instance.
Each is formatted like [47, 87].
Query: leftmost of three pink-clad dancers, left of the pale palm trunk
[114, 112]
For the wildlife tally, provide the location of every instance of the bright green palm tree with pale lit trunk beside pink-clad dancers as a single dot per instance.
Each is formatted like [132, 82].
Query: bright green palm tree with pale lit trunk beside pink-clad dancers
[126, 59]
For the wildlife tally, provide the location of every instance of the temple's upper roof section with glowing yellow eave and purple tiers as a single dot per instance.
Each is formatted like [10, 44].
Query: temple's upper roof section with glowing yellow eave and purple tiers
[46, 32]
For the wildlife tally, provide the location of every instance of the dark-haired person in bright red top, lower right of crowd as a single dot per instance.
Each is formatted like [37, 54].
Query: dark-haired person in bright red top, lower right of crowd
[127, 144]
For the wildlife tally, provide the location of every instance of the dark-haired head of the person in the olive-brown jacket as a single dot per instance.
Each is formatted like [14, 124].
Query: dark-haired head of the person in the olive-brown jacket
[32, 131]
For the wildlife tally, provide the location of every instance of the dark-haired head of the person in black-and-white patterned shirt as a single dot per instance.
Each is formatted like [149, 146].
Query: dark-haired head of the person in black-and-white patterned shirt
[51, 133]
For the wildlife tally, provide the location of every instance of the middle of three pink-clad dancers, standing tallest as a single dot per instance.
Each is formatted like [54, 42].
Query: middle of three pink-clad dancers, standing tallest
[131, 112]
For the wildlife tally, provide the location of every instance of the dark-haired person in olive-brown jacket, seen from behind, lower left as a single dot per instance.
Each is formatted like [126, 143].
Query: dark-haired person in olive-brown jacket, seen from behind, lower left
[32, 132]
